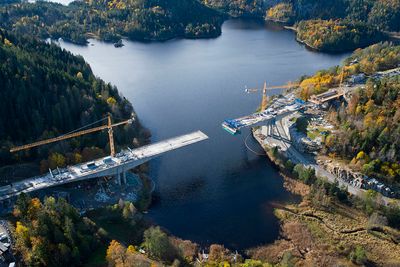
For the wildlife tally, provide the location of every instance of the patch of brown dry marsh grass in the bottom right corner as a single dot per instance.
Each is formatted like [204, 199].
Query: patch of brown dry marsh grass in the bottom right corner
[317, 237]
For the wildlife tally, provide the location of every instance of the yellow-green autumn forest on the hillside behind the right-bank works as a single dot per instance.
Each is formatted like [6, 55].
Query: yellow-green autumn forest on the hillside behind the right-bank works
[368, 128]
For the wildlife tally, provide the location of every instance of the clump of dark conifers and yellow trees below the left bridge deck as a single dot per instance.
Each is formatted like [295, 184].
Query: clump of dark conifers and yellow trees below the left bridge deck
[52, 233]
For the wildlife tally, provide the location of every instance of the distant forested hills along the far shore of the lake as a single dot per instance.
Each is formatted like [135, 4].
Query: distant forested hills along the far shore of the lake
[334, 25]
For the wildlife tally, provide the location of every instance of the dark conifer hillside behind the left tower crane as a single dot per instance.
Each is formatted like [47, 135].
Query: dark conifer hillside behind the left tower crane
[50, 92]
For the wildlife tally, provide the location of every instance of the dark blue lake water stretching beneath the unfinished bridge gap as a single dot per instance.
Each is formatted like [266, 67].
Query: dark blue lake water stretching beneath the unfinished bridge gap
[215, 191]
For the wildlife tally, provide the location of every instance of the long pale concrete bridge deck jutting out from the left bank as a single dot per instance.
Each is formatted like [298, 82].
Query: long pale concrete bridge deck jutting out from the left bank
[107, 166]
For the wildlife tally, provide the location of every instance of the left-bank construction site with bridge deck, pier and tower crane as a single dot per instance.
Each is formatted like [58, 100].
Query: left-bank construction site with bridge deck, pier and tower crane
[114, 167]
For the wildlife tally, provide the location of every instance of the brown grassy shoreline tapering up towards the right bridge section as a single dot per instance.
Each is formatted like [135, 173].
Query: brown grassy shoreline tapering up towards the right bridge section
[321, 228]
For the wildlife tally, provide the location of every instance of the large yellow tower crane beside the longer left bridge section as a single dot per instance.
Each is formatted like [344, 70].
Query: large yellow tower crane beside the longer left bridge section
[108, 126]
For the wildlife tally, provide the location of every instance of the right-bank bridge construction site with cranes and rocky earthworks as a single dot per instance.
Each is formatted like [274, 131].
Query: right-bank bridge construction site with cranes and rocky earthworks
[275, 126]
